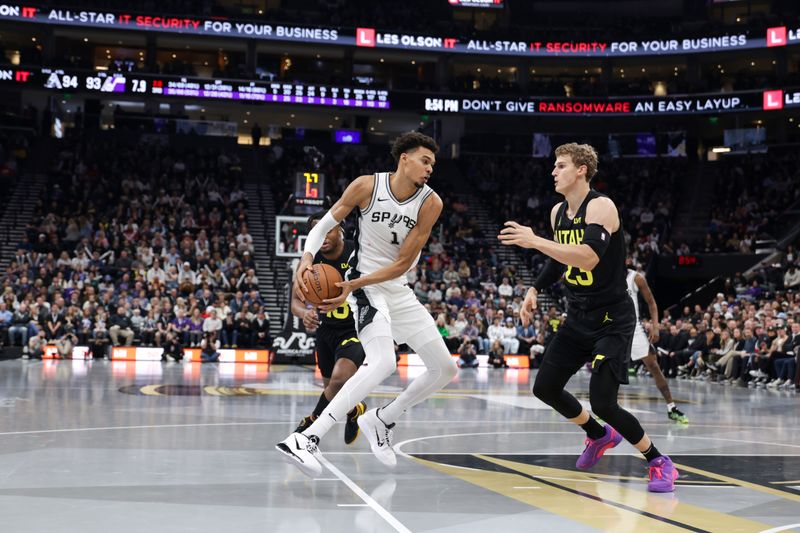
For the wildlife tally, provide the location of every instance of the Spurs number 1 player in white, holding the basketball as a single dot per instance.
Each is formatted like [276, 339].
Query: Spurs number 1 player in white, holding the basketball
[396, 212]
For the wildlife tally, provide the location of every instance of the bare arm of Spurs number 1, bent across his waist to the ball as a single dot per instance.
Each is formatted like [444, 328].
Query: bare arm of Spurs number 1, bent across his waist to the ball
[409, 250]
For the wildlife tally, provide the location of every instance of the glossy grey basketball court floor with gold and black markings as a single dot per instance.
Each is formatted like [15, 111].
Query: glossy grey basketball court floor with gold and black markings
[130, 447]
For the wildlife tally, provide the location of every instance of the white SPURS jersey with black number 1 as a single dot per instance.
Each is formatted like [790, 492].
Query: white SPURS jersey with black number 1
[382, 228]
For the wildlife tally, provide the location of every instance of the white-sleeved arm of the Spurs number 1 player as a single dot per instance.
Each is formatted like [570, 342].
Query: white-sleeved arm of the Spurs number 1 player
[357, 194]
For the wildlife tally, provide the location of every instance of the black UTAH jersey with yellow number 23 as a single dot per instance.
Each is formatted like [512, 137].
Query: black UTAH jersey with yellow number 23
[605, 284]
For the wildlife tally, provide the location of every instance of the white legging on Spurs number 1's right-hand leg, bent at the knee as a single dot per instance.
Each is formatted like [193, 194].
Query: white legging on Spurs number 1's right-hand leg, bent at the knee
[441, 369]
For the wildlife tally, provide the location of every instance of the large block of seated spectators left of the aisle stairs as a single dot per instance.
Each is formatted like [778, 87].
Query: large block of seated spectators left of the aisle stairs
[135, 243]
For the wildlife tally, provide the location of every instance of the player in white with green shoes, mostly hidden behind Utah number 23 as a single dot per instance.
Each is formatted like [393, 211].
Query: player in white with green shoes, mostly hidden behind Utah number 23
[642, 348]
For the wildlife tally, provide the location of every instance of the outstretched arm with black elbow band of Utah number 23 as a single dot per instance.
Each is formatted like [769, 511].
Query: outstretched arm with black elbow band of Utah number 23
[601, 221]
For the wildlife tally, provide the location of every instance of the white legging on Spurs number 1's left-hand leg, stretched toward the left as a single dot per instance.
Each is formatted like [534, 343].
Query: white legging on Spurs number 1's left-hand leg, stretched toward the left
[378, 365]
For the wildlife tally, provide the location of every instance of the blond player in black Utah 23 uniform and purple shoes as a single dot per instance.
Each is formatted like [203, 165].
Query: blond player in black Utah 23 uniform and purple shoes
[589, 251]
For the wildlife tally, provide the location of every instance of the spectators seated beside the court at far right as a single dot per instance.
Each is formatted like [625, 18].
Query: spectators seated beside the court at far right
[748, 336]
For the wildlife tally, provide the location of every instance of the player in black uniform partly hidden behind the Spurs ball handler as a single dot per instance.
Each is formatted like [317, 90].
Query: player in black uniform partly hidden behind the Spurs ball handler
[339, 352]
